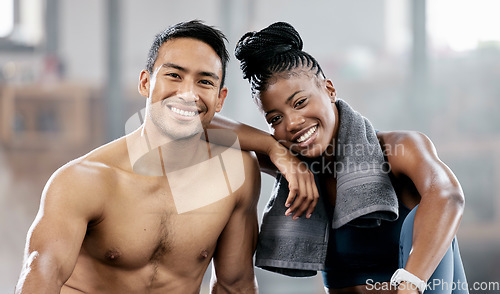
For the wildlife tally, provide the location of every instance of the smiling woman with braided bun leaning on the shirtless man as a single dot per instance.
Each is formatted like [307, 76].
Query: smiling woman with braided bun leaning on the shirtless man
[304, 115]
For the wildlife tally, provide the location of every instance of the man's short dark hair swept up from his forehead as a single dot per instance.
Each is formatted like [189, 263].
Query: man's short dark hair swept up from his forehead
[194, 29]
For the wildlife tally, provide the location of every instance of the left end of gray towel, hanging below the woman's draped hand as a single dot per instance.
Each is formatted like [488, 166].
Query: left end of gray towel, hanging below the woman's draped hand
[292, 247]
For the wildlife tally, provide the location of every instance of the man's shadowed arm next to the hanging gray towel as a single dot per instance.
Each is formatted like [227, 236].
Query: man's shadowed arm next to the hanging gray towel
[233, 270]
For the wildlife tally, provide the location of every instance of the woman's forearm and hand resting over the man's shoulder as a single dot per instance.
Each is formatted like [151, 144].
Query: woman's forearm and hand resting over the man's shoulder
[274, 157]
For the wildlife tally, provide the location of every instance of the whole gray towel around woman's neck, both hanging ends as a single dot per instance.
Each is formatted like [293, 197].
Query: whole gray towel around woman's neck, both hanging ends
[365, 196]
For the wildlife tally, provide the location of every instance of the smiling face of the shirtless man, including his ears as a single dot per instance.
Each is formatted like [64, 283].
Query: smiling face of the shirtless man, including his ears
[184, 90]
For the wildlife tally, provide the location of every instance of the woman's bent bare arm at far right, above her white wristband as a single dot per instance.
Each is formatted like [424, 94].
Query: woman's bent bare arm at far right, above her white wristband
[442, 200]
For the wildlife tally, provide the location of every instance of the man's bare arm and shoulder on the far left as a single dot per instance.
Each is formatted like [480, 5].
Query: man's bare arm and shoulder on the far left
[55, 237]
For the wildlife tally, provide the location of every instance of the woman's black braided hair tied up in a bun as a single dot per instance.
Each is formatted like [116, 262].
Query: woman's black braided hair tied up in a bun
[275, 49]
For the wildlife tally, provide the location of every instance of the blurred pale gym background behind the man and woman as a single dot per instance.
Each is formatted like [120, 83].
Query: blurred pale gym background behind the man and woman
[69, 72]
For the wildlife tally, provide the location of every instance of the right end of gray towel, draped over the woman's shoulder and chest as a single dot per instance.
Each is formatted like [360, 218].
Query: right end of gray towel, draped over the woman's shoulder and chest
[365, 194]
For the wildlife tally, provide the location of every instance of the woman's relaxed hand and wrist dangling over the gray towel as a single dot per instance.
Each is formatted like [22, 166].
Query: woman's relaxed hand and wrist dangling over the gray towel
[304, 194]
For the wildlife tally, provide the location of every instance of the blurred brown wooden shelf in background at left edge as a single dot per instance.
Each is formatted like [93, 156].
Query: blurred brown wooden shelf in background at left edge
[40, 116]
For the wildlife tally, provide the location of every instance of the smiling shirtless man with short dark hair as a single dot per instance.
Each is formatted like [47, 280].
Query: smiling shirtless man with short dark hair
[109, 222]
